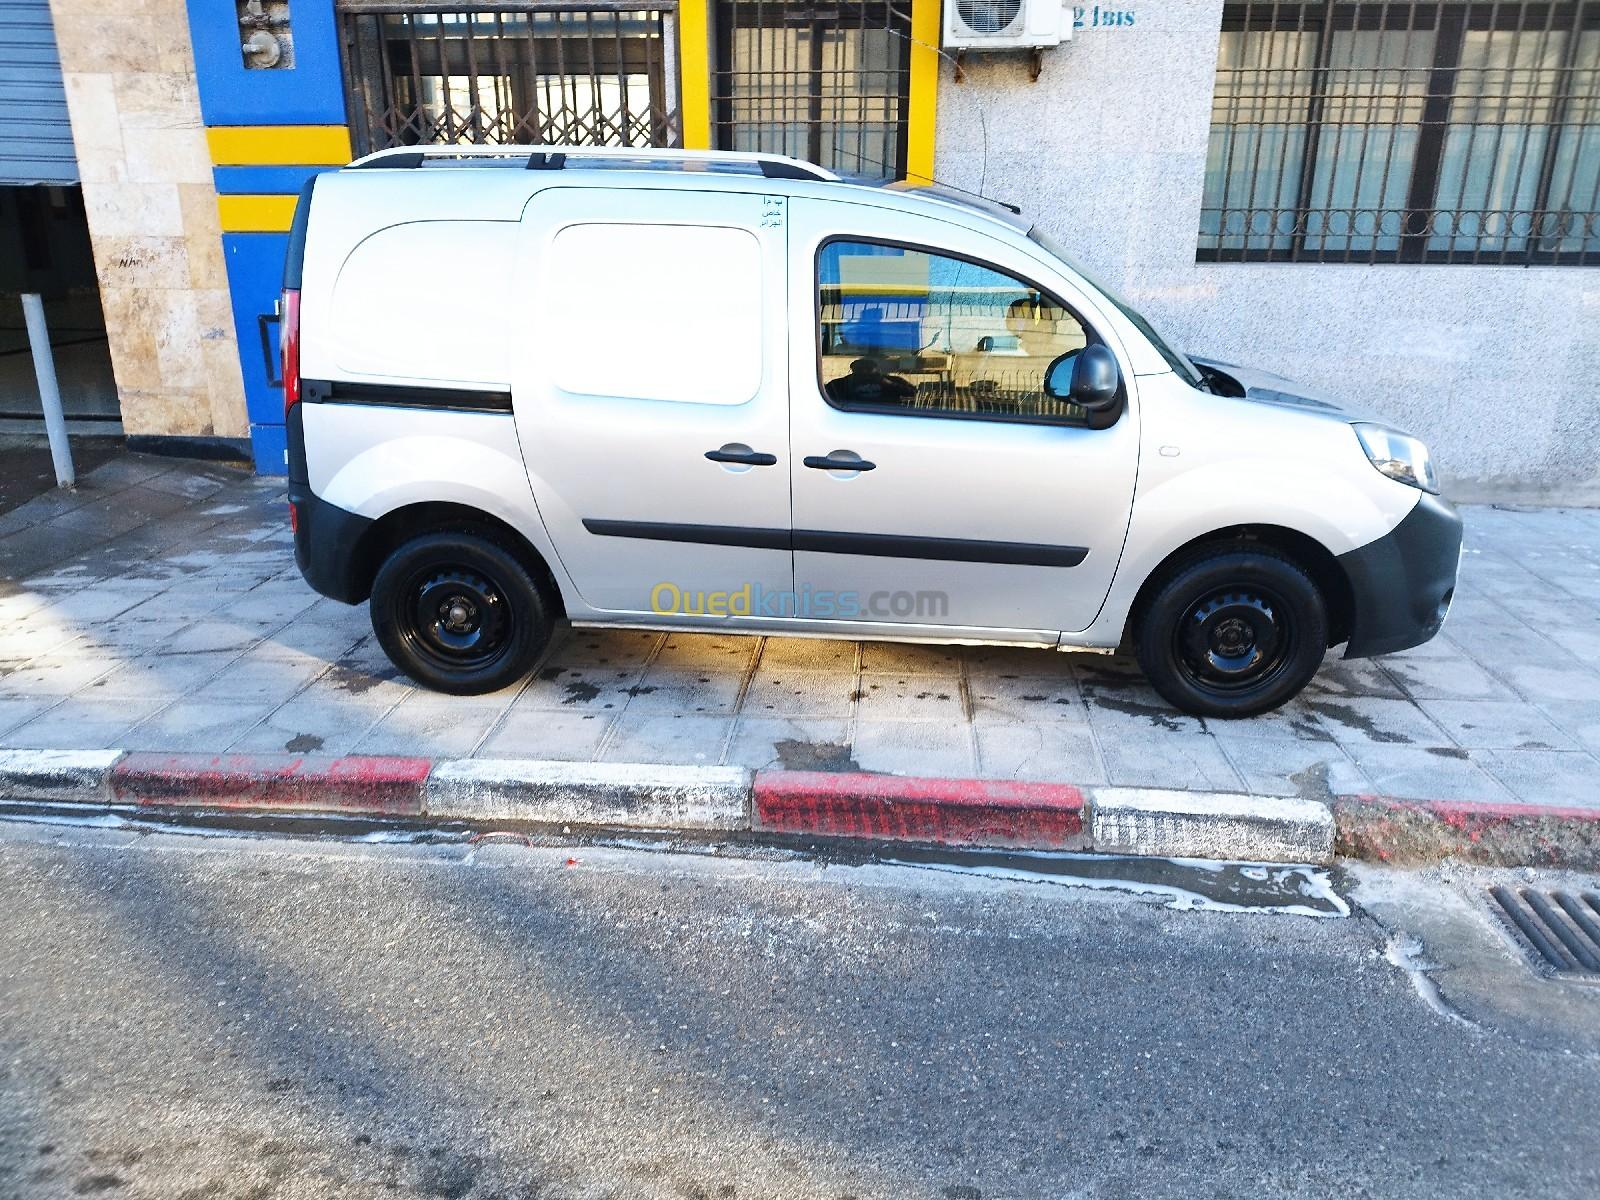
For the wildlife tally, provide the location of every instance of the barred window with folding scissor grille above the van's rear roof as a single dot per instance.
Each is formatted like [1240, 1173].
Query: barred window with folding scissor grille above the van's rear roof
[551, 74]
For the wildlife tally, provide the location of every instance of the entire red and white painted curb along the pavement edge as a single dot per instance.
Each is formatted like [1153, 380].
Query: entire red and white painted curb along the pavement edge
[814, 804]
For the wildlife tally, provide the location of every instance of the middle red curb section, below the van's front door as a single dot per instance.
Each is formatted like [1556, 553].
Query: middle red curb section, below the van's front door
[951, 812]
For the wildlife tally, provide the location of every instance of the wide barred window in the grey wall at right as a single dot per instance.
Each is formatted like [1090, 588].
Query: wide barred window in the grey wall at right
[1406, 134]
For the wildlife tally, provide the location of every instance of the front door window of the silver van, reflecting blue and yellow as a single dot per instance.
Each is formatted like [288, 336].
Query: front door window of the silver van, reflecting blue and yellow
[906, 330]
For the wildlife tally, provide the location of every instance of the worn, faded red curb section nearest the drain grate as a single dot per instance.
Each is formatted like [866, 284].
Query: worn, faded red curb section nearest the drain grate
[1492, 834]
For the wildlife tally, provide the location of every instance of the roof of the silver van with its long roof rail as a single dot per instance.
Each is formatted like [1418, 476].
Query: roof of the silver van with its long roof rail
[689, 164]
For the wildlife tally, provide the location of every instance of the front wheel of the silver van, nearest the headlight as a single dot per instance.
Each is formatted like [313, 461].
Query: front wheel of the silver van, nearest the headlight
[1233, 633]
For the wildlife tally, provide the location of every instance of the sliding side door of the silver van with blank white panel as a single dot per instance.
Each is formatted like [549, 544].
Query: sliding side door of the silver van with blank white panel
[652, 396]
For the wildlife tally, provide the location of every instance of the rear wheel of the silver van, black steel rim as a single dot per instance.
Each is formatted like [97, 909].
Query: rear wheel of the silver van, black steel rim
[460, 614]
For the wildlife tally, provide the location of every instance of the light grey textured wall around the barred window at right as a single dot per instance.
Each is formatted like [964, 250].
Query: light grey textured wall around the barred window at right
[1495, 367]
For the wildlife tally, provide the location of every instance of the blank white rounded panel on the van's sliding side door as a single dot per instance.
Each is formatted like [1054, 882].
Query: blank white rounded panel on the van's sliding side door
[655, 313]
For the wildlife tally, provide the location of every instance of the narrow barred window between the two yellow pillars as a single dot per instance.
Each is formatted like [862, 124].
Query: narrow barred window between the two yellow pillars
[818, 82]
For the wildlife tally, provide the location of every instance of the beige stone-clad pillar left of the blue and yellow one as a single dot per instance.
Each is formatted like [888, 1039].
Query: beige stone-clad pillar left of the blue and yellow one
[153, 215]
